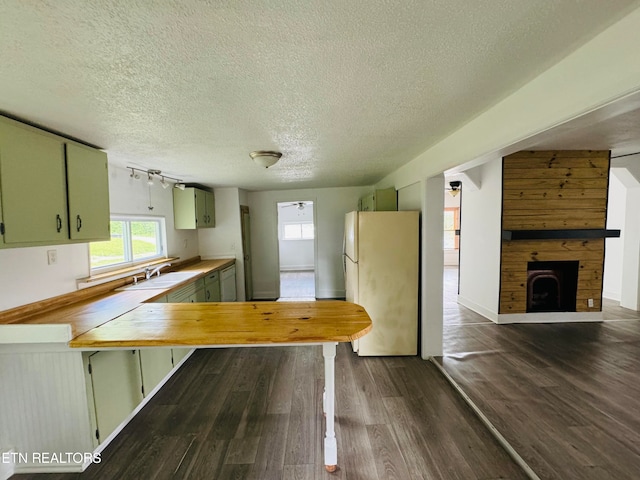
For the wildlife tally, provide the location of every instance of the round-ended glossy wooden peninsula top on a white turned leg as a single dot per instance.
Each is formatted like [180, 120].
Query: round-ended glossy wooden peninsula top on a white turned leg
[233, 323]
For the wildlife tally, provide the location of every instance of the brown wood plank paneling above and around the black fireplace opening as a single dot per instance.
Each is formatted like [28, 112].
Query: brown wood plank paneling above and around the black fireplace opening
[553, 190]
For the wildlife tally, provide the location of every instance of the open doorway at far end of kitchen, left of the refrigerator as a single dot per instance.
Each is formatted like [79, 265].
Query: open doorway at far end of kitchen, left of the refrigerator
[296, 247]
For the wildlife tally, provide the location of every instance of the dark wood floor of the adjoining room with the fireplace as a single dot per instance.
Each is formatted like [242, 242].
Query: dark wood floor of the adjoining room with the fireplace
[565, 396]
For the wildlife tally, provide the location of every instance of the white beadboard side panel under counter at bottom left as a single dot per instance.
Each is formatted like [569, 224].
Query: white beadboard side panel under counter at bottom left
[44, 409]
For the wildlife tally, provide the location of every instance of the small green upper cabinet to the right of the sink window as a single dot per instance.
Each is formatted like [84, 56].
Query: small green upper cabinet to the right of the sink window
[193, 208]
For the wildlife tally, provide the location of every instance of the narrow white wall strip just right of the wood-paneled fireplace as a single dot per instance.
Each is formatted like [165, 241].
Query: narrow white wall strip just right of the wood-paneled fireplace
[616, 212]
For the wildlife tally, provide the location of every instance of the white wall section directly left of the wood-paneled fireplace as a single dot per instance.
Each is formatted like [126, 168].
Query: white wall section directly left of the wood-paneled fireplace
[480, 243]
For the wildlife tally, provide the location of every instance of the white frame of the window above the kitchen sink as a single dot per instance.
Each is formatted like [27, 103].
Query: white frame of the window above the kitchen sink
[130, 261]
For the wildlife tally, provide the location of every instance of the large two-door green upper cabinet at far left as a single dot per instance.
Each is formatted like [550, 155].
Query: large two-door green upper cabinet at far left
[45, 193]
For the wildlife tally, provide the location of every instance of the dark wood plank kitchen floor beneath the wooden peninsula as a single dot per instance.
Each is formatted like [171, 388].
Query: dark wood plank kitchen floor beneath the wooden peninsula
[255, 413]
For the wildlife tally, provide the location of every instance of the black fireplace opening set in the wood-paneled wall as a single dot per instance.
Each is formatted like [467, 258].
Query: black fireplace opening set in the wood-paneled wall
[552, 286]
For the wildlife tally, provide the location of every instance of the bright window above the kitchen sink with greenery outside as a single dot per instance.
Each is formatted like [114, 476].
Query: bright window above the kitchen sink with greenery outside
[133, 240]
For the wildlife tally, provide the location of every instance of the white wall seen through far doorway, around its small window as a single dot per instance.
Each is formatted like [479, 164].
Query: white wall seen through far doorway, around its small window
[295, 254]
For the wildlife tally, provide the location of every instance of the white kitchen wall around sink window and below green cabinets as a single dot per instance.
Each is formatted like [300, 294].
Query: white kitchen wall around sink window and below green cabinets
[25, 276]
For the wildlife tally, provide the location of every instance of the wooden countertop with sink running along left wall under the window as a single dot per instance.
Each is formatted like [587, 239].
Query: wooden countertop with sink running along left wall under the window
[88, 313]
